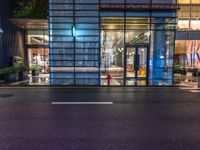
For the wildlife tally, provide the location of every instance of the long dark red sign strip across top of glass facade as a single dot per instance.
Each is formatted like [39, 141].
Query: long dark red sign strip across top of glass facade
[130, 6]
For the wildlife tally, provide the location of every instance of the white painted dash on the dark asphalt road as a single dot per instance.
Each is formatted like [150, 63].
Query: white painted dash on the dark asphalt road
[81, 103]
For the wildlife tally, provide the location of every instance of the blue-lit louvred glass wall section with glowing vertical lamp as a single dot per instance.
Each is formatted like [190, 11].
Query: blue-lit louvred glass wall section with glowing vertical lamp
[74, 38]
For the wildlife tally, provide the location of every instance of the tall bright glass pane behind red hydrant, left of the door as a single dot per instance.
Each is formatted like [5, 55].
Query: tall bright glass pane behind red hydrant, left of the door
[112, 56]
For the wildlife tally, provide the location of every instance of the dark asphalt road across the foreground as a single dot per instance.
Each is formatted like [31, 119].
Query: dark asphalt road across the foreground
[138, 119]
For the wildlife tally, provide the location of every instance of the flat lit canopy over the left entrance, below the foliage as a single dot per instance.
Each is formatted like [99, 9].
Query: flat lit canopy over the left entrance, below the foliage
[30, 23]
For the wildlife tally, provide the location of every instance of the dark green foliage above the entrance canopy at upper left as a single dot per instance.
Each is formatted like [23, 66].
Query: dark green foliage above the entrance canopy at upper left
[30, 8]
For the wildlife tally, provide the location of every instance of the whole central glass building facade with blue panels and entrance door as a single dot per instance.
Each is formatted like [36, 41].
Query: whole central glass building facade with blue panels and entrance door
[131, 40]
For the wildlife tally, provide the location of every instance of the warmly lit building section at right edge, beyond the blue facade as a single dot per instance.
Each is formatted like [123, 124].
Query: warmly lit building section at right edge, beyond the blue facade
[187, 44]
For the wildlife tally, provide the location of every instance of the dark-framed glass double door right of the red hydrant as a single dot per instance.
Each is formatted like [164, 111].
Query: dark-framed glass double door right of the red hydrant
[137, 65]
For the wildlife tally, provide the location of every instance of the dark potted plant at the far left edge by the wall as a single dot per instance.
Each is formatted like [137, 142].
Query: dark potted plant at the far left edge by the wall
[10, 74]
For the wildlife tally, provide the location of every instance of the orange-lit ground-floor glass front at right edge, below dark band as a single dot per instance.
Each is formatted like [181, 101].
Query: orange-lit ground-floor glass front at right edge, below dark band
[187, 62]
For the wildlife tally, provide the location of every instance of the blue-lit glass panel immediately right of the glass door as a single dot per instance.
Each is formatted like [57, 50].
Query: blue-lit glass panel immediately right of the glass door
[161, 63]
